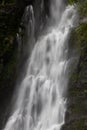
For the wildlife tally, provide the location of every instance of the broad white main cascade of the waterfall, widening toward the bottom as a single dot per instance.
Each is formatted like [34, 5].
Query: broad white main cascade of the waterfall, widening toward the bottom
[41, 104]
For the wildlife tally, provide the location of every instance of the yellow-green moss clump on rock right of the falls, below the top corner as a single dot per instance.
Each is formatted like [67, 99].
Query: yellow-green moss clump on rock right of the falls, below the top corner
[78, 38]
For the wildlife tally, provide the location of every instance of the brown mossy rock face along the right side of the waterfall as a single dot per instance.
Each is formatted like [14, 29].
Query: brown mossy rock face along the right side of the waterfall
[76, 115]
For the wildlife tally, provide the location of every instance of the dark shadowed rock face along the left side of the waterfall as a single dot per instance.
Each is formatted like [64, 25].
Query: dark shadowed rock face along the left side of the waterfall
[11, 13]
